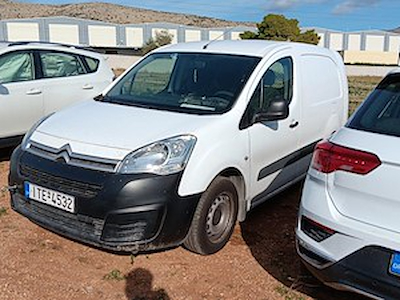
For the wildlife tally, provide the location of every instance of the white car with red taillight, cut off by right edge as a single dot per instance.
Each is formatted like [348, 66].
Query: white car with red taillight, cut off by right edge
[348, 231]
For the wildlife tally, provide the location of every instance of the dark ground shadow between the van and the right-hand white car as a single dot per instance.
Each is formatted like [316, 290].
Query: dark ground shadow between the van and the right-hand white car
[269, 233]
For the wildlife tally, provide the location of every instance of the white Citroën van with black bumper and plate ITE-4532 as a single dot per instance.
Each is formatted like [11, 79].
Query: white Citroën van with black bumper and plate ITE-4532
[182, 145]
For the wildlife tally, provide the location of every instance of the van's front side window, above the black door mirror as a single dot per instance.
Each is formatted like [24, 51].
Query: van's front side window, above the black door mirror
[277, 82]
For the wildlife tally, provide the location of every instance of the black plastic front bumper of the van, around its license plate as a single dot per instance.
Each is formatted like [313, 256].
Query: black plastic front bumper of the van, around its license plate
[118, 212]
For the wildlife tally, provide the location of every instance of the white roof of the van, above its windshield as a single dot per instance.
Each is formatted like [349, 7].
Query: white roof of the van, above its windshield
[258, 48]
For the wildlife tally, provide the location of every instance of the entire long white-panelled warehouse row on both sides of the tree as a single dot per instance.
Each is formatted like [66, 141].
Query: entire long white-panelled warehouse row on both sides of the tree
[372, 47]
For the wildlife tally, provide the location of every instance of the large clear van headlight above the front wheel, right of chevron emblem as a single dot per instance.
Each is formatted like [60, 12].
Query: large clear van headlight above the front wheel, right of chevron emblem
[162, 158]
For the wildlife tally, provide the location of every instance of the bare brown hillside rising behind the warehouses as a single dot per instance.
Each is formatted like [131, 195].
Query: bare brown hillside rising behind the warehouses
[107, 12]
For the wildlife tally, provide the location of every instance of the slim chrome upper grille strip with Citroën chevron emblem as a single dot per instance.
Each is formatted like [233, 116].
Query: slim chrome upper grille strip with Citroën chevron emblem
[66, 155]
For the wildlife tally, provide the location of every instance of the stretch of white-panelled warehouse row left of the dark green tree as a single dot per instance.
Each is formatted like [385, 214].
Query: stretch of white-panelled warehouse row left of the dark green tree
[99, 34]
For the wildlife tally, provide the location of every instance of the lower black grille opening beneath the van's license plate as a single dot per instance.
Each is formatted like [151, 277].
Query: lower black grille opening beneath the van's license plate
[61, 221]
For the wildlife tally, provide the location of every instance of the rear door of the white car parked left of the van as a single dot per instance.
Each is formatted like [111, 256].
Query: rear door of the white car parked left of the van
[66, 80]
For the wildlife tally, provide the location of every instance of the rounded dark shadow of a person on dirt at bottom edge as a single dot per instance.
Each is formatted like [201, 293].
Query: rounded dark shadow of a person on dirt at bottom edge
[139, 286]
